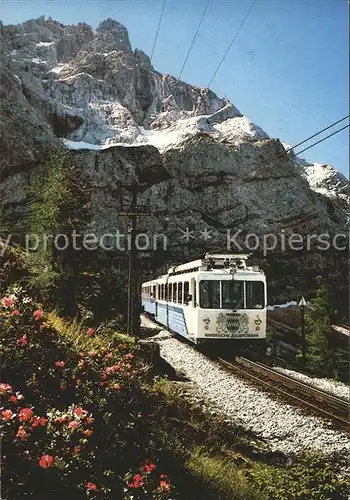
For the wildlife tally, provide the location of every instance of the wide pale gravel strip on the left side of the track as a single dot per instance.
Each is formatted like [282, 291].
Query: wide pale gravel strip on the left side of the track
[283, 427]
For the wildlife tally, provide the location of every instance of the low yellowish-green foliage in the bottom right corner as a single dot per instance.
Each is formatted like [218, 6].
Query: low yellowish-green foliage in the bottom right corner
[311, 477]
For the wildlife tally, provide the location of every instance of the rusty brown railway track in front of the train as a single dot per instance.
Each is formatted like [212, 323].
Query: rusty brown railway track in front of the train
[325, 404]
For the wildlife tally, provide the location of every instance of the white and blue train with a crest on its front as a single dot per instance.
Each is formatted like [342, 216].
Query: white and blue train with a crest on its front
[217, 297]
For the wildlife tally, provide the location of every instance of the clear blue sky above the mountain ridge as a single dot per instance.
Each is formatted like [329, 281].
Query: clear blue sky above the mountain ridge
[287, 70]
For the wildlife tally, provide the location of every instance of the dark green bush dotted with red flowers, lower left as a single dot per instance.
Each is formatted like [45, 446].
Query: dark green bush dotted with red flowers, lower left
[54, 368]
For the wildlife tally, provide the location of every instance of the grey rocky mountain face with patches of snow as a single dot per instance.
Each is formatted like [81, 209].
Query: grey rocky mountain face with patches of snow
[197, 162]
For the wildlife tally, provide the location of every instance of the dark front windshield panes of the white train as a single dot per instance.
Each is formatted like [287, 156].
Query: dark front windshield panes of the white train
[231, 294]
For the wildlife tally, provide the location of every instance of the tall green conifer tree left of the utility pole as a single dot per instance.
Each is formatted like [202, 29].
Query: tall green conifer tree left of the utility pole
[59, 205]
